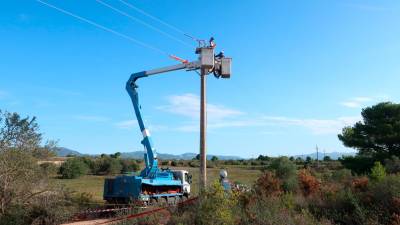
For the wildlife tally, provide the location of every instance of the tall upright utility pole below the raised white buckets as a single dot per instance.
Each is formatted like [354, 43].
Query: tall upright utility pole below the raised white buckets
[203, 127]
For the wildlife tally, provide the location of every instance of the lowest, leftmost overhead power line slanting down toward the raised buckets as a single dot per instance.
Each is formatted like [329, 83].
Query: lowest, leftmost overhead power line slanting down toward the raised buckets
[143, 44]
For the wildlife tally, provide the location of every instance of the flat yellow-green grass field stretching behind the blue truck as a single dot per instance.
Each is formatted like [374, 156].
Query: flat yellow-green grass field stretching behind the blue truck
[94, 184]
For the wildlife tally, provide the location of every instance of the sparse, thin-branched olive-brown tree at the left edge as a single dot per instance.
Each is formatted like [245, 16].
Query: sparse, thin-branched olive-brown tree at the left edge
[26, 195]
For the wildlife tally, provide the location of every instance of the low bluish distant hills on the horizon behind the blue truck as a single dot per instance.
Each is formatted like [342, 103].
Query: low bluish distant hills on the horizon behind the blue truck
[62, 152]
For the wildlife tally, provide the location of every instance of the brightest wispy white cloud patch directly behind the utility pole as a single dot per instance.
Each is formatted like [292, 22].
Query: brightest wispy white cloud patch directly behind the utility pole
[188, 105]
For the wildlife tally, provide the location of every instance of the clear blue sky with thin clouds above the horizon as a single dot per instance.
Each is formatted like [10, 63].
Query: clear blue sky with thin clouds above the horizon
[302, 70]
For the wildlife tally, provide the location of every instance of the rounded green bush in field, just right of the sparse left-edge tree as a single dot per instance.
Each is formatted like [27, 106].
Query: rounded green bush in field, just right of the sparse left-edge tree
[73, 168]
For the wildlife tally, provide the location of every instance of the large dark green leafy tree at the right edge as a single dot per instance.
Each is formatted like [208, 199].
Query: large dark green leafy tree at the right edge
[378, 134]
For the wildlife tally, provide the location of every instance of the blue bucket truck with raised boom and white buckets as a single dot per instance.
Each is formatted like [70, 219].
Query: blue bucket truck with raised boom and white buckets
[155, 185]
